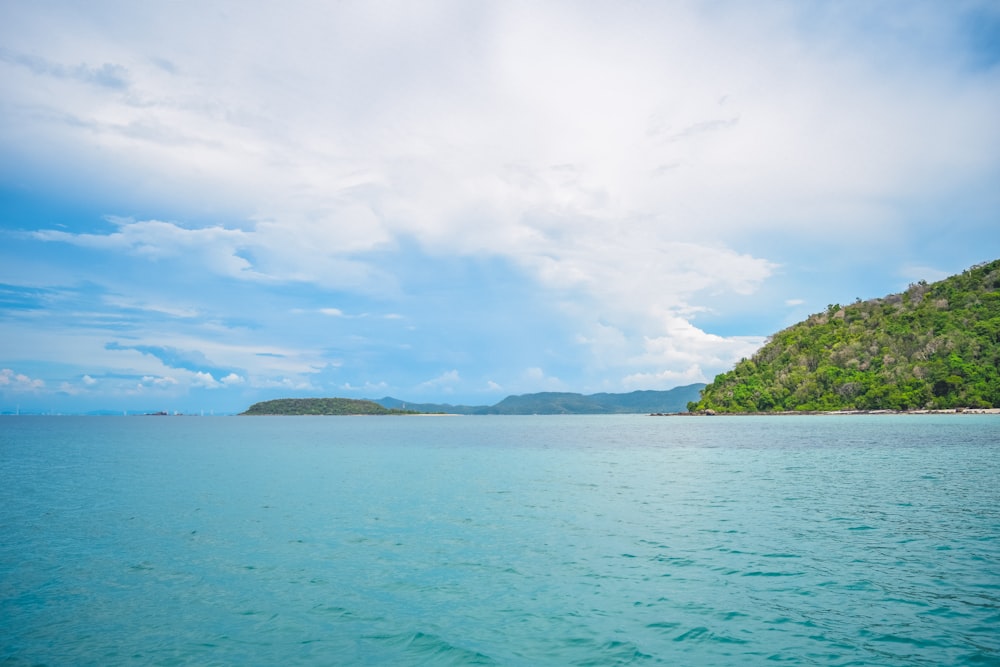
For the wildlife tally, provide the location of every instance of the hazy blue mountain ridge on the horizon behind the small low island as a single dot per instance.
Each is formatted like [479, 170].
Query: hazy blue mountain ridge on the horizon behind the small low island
[566, 403]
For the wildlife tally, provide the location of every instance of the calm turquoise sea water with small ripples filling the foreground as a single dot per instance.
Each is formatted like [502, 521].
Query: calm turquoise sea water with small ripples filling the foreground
[597, 540]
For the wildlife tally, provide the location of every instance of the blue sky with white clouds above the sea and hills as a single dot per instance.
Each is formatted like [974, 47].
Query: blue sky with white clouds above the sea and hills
[208, 204]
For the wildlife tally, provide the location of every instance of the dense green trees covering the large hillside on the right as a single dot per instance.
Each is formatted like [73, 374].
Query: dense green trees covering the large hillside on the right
[933, 346]
